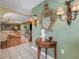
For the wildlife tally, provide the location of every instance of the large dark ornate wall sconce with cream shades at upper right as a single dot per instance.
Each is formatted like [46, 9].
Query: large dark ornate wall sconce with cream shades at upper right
[71, 13]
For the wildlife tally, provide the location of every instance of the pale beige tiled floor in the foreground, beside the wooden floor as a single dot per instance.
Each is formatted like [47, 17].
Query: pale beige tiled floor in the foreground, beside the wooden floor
[23, 51]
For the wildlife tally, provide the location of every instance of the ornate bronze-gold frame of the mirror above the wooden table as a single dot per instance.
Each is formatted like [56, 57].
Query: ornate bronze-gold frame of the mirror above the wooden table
[47, 12]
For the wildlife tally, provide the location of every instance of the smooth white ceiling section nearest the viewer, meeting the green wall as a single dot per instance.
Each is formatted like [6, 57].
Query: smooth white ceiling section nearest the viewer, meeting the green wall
[21, 6]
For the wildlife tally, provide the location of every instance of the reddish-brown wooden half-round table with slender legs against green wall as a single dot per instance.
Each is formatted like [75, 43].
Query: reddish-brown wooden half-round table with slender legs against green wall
[46, 44]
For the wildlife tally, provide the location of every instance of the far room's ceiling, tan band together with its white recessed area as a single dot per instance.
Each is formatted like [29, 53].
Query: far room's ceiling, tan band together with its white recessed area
[8, 15]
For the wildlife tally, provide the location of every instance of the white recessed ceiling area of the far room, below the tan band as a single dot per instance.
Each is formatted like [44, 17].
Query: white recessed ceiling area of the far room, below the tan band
[14, 18]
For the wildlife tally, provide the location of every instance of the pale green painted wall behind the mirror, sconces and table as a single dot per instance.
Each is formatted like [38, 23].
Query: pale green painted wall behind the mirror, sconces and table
[67, 37]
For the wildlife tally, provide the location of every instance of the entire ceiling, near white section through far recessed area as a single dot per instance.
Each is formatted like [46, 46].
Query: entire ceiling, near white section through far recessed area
[17, 10]
